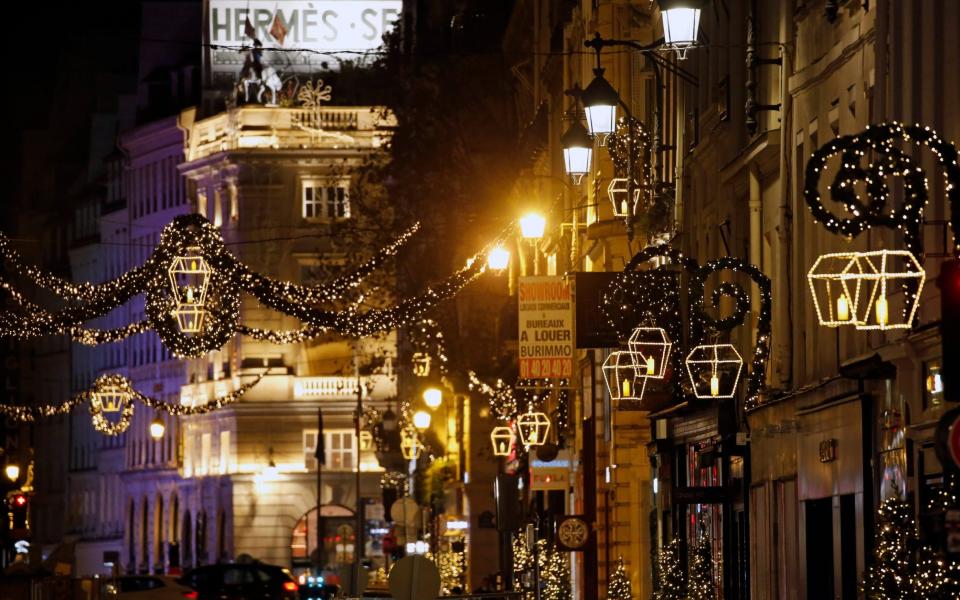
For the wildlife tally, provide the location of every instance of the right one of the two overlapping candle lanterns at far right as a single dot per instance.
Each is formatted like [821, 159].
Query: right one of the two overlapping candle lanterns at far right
[888, 271]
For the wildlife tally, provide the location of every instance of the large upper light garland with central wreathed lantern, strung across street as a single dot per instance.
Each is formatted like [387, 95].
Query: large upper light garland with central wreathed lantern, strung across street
[191, 321]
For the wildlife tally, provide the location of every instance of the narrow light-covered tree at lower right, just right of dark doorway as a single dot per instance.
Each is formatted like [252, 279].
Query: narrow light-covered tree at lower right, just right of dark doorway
[892, 573]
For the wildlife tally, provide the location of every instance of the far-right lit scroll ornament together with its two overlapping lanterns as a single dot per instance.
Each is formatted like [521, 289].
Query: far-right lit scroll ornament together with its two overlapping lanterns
[862, 214]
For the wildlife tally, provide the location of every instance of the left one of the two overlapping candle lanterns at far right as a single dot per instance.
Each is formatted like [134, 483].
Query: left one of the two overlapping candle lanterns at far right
[841, 295]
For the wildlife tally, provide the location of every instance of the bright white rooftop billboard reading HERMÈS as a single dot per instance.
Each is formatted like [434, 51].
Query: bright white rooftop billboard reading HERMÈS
[297, 36]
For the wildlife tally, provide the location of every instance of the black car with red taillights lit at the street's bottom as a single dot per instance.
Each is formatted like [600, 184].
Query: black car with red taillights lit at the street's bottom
[246, 581]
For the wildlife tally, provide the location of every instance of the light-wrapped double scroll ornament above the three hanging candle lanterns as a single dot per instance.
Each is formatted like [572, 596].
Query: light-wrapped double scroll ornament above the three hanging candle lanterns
[636, 296]
